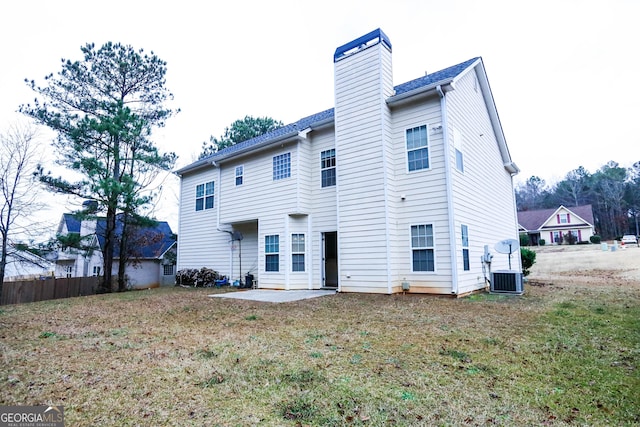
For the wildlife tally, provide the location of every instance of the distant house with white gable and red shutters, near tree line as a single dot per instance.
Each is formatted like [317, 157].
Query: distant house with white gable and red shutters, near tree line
[553, 224]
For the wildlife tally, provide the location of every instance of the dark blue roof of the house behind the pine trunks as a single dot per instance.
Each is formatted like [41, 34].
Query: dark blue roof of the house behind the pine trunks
[153, 241]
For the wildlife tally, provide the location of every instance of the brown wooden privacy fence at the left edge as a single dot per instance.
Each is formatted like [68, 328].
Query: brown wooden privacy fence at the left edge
[40, 290]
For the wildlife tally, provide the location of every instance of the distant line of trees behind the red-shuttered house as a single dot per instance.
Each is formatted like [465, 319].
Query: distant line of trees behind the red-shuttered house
[613, 192]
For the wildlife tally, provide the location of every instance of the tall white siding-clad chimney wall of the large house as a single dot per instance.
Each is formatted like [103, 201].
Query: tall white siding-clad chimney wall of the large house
[362, 83]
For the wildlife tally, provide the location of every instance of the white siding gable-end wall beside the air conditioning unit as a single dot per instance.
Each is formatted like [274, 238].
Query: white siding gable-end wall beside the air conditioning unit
[483, 195]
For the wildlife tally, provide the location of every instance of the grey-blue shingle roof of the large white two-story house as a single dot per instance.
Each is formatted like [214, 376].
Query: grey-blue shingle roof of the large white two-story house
[322, 118]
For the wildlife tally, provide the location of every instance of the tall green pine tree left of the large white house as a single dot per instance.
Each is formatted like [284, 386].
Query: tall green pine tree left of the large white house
[103, 109]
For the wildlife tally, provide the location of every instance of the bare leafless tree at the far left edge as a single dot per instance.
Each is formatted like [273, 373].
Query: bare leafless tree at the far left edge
[19, 157]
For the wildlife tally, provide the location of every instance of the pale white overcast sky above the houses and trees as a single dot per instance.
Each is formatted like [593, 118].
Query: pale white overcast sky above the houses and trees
[563, 73]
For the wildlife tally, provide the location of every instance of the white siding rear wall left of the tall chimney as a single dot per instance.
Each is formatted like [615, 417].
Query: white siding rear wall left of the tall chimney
[257, 208]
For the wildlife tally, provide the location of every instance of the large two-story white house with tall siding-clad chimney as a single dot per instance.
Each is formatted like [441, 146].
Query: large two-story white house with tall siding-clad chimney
[396, 184]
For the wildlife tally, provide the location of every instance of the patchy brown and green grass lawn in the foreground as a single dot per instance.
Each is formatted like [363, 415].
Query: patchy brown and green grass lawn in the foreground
[558, 355]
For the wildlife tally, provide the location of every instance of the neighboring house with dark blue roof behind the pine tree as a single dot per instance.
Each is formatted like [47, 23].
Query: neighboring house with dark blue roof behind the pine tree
[152, 264]
